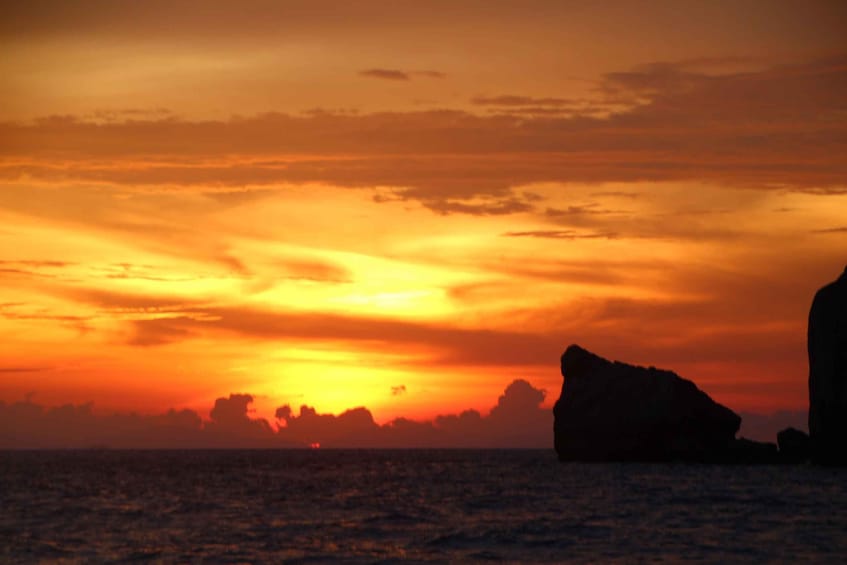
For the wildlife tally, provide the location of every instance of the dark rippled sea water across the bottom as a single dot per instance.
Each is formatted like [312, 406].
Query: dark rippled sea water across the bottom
[410, 506]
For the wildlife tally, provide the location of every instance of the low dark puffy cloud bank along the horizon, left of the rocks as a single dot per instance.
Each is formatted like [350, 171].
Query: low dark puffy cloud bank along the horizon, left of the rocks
[517, 420]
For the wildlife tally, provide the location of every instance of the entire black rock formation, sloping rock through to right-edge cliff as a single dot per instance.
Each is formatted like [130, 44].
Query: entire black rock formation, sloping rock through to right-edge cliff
[613, 411]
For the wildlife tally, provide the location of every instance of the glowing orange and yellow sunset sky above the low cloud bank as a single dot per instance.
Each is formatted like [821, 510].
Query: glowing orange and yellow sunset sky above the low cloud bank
[409, 205]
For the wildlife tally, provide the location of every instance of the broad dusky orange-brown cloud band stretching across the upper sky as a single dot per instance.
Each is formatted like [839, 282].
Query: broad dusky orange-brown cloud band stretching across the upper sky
[781, 127]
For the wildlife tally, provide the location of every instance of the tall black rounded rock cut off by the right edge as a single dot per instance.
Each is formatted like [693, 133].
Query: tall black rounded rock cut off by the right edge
[827, 344]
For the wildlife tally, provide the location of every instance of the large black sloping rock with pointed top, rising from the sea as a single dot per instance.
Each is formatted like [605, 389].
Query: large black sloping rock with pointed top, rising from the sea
[611, 411]
